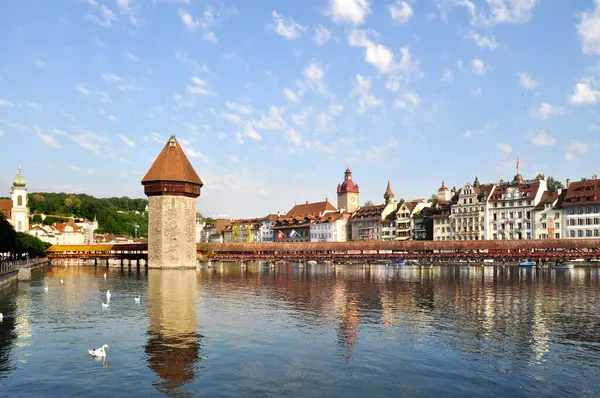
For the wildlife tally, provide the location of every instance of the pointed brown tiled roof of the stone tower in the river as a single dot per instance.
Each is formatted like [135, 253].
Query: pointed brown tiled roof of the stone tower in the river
[172, 165]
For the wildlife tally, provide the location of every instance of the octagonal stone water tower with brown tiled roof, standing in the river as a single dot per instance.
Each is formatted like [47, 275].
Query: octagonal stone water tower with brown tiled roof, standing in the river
[172, 187]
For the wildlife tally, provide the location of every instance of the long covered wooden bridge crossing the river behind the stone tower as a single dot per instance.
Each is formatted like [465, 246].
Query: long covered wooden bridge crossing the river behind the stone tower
[431, 251]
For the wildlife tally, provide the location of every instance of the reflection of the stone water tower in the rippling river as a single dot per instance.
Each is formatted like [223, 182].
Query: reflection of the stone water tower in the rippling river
[173, 347]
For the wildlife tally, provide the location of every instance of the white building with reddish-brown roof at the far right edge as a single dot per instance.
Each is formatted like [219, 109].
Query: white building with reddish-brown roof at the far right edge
[581, 209]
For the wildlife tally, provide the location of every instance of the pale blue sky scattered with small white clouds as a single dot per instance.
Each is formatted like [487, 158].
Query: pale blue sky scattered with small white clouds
[272, 100]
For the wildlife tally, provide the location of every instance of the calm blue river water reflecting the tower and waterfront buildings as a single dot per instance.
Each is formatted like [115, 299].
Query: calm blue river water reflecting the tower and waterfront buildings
[304, 332]
